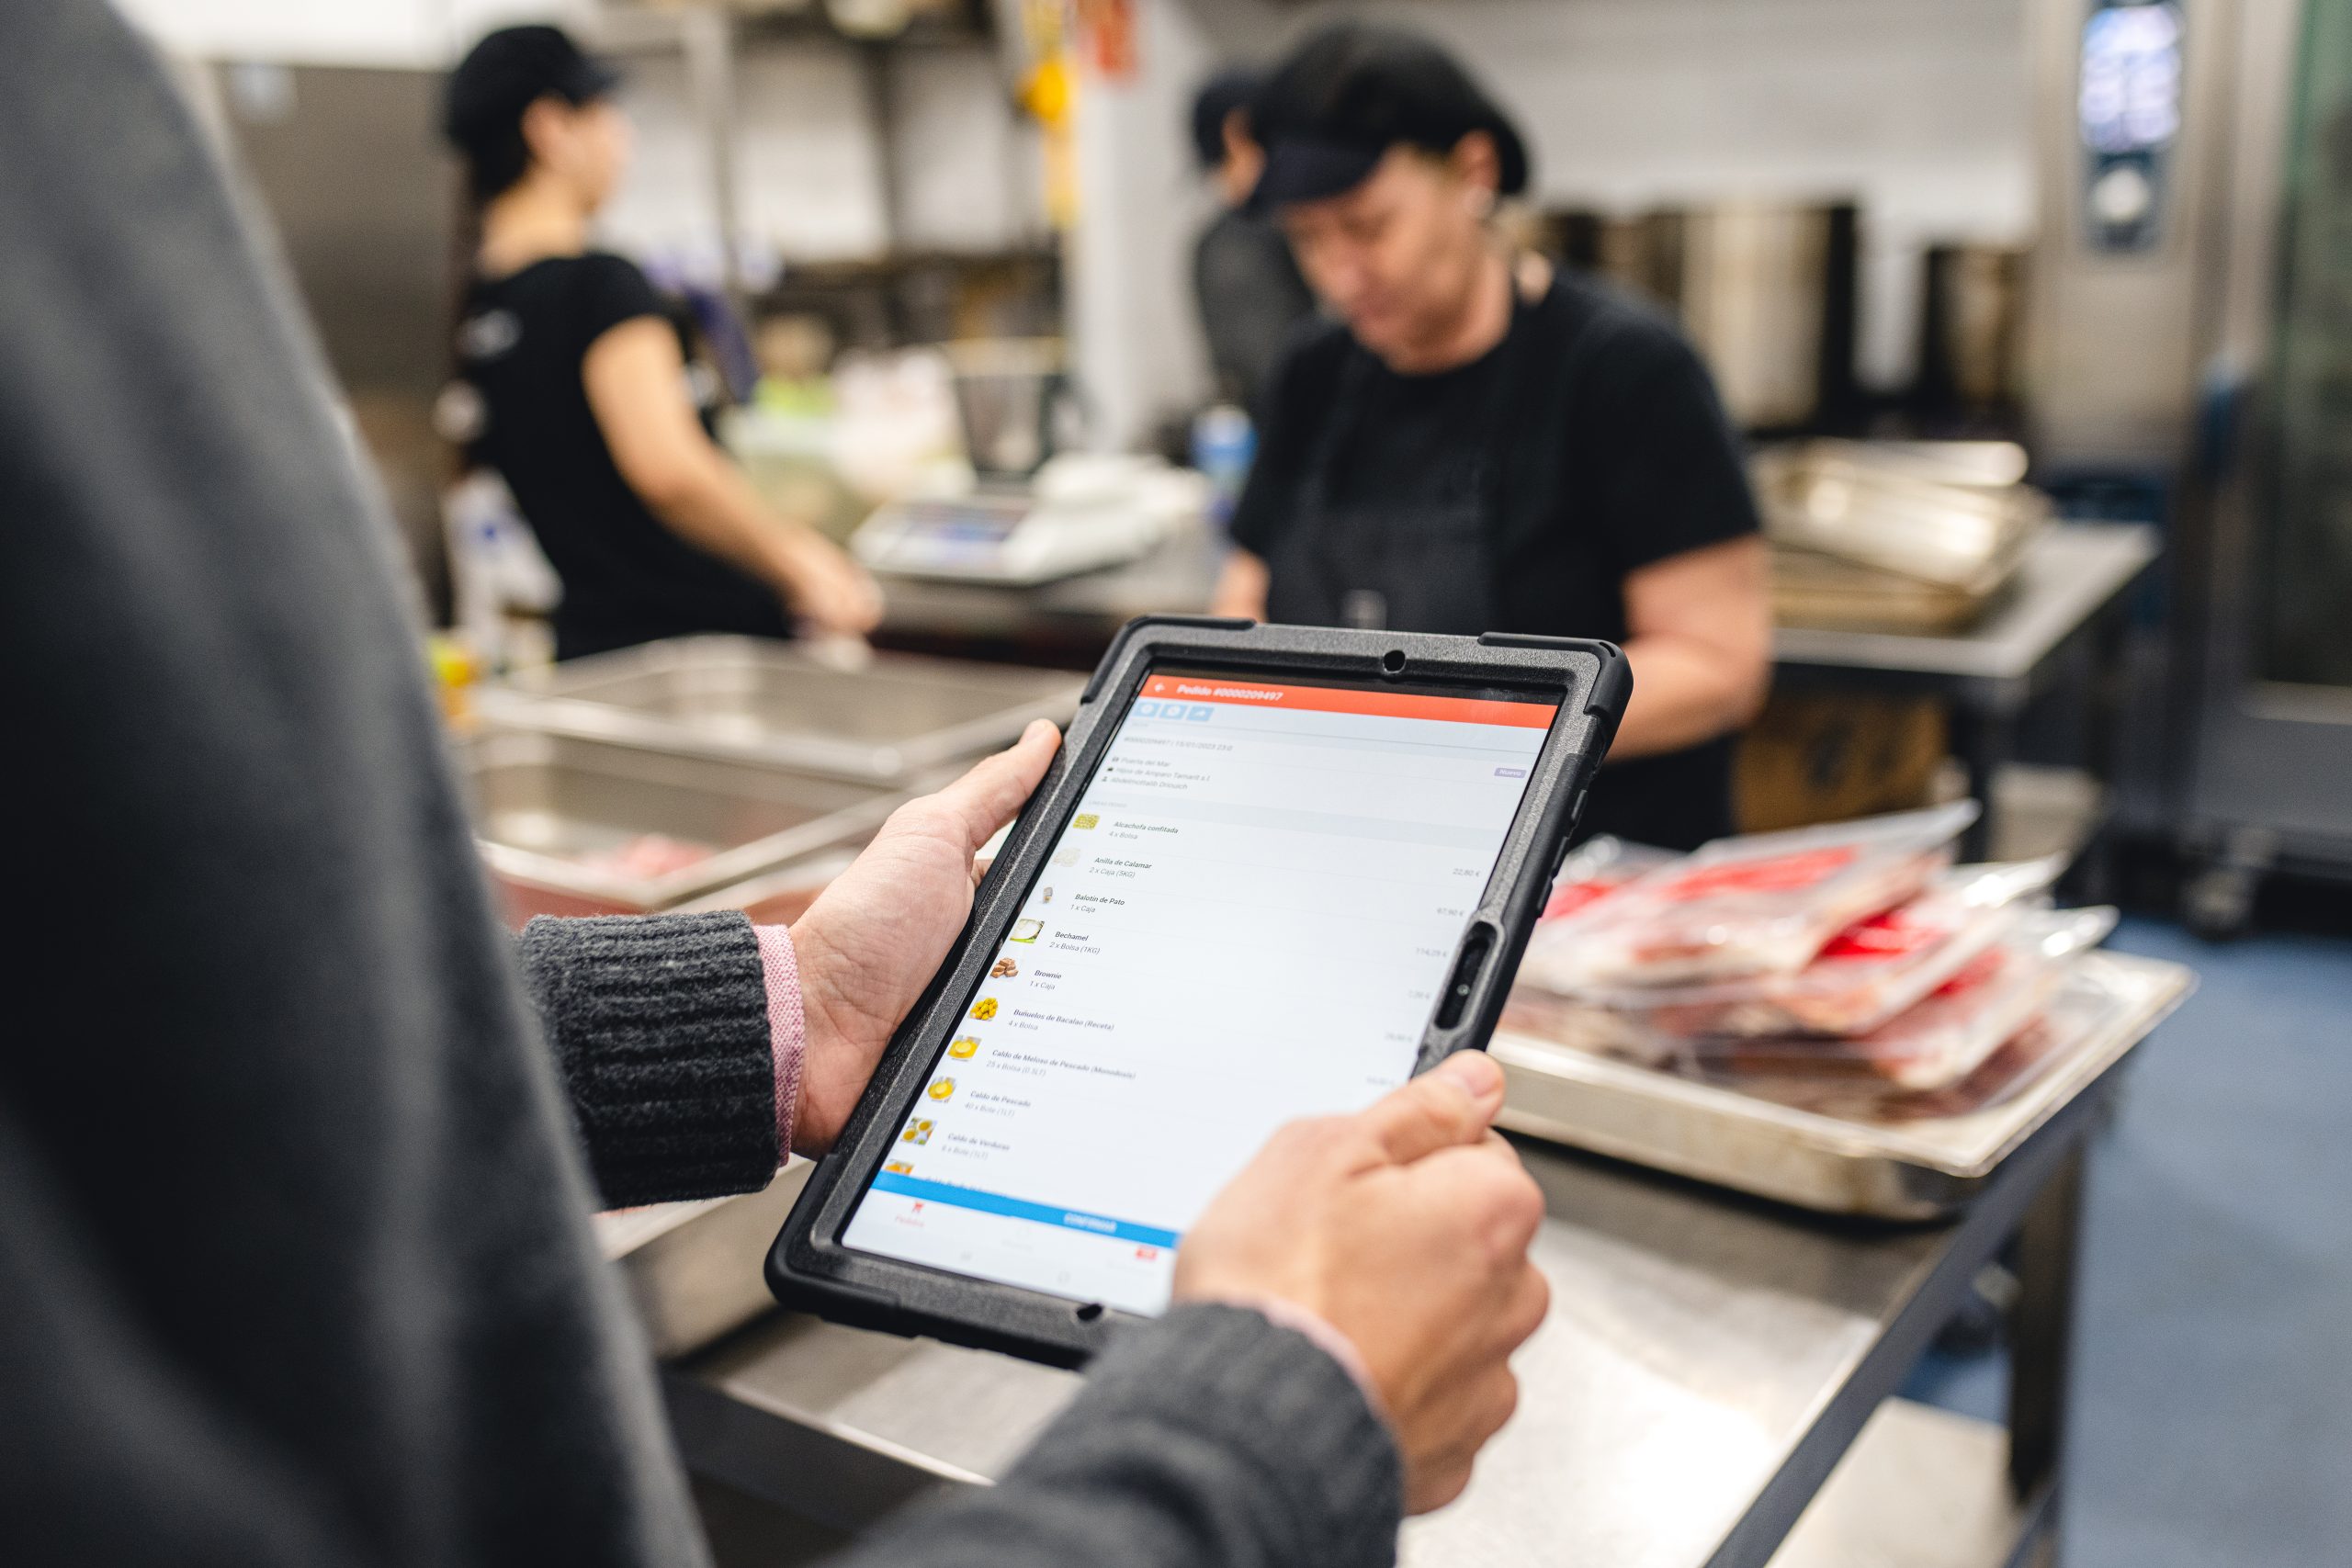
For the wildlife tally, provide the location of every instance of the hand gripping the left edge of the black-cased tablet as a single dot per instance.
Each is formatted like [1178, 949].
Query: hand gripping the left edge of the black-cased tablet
[874, 939]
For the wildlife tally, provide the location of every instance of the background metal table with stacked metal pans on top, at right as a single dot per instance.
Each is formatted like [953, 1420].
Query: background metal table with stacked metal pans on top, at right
[2062, 619]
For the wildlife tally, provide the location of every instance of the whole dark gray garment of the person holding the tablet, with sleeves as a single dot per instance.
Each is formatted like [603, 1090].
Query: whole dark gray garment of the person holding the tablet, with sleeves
[295, 1257]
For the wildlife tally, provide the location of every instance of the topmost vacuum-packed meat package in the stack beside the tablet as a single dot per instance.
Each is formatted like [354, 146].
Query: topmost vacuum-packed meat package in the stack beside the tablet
[1749, 906]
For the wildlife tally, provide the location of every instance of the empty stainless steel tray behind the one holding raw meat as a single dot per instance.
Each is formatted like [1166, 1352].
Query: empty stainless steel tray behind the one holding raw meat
[775, 702]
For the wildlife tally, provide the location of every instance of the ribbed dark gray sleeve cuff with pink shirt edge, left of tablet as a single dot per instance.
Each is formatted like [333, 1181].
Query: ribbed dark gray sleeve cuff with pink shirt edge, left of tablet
[660, 1031]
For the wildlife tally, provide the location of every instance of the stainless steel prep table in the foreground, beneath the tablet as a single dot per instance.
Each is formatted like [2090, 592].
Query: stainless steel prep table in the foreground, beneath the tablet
[1709, 1360]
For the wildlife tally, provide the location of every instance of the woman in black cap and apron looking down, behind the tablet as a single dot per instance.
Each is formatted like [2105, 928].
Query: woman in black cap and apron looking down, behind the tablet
[1481, 445]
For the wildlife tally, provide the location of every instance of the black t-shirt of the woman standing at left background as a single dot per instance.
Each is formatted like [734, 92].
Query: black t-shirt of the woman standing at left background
[627, 577]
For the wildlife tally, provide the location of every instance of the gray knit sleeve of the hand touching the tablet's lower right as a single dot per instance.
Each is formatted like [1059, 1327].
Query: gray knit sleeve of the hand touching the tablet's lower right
[1208, 1438]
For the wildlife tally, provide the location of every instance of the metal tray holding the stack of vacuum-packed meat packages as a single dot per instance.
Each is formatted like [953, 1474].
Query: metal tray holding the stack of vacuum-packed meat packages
[1892, 1170]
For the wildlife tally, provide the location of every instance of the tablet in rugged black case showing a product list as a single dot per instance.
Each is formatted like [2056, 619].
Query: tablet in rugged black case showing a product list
[1271, 876]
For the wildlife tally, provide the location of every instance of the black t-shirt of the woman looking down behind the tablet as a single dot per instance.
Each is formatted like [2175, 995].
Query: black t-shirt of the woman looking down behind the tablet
[1605, 448]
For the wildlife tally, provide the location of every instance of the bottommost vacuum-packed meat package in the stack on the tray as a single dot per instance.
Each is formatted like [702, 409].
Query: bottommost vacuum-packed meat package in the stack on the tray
[1993, 1000]
